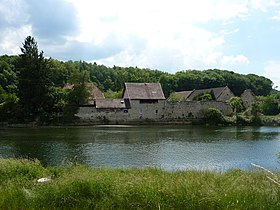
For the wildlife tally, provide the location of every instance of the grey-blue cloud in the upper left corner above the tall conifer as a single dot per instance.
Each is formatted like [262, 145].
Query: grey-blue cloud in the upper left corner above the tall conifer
[49, 21]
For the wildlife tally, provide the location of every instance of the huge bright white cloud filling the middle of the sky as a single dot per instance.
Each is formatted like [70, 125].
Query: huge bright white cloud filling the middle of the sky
[170, 37]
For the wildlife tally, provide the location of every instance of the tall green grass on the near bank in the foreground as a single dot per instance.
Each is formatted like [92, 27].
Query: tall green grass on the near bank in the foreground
[80, 187]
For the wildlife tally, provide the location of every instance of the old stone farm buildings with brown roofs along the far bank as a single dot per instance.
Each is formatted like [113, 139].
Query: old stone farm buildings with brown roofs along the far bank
[145, 102]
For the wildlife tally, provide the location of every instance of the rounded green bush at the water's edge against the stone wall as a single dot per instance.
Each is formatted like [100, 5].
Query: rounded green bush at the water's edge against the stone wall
[213, 116]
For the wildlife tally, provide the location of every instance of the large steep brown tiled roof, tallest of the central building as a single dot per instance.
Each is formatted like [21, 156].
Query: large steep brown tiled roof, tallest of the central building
[143, 91]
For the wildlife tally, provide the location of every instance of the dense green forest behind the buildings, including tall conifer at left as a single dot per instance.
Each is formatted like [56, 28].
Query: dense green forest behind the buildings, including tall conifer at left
[31, 86]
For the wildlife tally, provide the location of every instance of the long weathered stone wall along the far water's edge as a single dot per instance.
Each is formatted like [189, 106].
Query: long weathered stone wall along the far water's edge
[162, 111]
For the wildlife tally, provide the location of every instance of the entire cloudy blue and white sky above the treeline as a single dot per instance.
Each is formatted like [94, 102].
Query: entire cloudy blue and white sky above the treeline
[167, 35]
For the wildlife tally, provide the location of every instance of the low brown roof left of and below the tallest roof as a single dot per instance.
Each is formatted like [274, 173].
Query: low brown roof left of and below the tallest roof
[110, 103]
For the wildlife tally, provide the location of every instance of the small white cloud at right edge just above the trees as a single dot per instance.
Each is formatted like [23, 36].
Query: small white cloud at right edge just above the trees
[271, 71]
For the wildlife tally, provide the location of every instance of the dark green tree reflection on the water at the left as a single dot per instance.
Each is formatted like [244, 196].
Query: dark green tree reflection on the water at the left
[50, 146]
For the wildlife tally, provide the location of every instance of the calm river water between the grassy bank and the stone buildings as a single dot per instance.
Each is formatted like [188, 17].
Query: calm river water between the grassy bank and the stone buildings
[166, 147]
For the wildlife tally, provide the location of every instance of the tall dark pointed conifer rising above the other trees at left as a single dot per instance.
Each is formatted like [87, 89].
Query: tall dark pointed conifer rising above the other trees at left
[33, 78]
